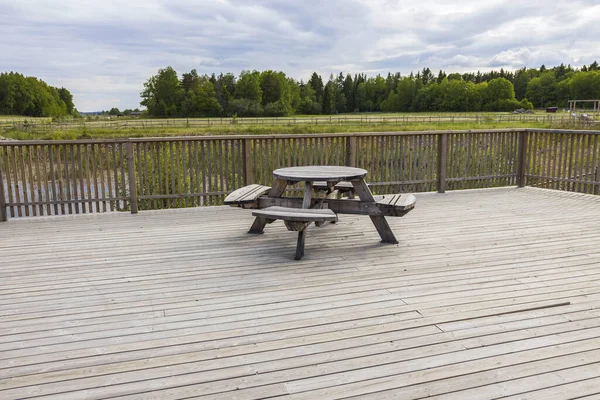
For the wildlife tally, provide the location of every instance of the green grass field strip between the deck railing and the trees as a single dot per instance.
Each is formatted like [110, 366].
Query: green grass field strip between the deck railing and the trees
[98, 128]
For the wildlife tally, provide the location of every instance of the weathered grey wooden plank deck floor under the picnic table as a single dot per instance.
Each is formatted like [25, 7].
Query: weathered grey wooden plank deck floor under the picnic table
[490, 293]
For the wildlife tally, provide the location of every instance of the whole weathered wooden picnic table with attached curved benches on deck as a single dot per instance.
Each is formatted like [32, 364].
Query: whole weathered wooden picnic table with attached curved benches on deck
[299, 213]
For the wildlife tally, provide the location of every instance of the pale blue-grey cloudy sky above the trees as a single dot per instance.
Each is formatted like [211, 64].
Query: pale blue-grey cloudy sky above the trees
[103, 51]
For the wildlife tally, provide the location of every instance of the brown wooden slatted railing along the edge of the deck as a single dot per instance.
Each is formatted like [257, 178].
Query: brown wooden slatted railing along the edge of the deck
[74, 177]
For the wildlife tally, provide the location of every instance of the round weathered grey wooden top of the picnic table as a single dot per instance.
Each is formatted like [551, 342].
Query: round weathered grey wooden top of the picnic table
[320, 173]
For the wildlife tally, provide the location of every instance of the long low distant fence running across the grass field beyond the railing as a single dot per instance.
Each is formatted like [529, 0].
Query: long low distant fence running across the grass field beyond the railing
[399, 119]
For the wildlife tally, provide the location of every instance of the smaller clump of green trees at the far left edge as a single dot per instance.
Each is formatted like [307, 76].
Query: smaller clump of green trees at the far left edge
[32, 97]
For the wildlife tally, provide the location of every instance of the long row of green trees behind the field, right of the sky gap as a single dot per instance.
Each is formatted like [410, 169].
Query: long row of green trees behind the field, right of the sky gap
[272, 93]
